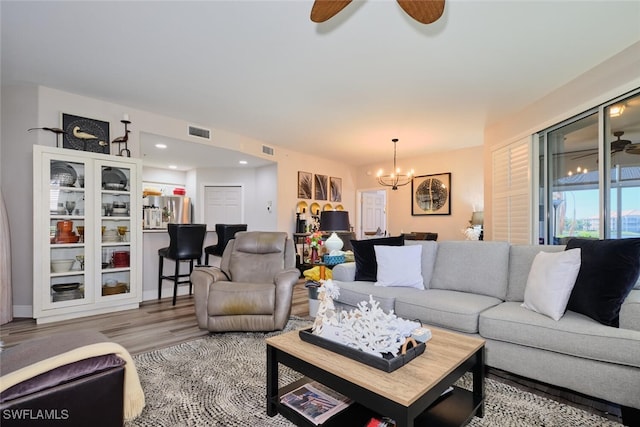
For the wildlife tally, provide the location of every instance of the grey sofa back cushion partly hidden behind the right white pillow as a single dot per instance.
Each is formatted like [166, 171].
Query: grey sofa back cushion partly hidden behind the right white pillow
[520, 260]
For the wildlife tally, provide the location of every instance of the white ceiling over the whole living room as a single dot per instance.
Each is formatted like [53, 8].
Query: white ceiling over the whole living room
[344, 88]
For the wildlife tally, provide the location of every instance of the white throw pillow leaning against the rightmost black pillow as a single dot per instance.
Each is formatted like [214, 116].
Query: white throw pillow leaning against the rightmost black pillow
[550, 282]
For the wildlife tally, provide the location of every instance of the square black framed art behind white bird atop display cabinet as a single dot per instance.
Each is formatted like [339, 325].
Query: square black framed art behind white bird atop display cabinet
[85, 134]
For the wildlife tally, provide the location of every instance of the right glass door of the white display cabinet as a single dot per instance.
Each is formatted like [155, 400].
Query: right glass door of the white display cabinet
[116, 226]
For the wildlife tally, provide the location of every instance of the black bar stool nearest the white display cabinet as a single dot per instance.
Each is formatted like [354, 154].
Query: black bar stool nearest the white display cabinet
[186, 241]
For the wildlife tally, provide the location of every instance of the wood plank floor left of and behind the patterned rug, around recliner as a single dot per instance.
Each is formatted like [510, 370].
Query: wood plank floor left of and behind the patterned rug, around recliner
[156, 324]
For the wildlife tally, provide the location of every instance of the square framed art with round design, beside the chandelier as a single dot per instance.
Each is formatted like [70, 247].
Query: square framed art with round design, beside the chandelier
[431, 194]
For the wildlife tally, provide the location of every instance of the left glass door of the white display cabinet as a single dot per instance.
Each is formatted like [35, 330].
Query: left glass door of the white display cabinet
[65, 222]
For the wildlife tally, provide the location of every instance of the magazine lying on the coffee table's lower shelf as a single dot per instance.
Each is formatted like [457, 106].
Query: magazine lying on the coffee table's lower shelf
[316, 402]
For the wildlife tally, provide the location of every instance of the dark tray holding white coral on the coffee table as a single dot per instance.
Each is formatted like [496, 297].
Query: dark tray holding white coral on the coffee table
[387, 363]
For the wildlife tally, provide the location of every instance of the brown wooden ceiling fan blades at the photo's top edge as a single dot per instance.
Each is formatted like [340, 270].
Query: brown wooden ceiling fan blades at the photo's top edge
[423, 11]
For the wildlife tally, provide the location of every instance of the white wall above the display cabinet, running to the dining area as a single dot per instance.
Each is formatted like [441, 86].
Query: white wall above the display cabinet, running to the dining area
[24, 107]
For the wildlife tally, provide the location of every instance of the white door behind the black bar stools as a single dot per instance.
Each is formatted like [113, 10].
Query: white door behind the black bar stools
[223, 205]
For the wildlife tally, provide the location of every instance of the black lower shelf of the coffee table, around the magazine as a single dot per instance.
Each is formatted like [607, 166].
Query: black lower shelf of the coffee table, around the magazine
[455, 409]
